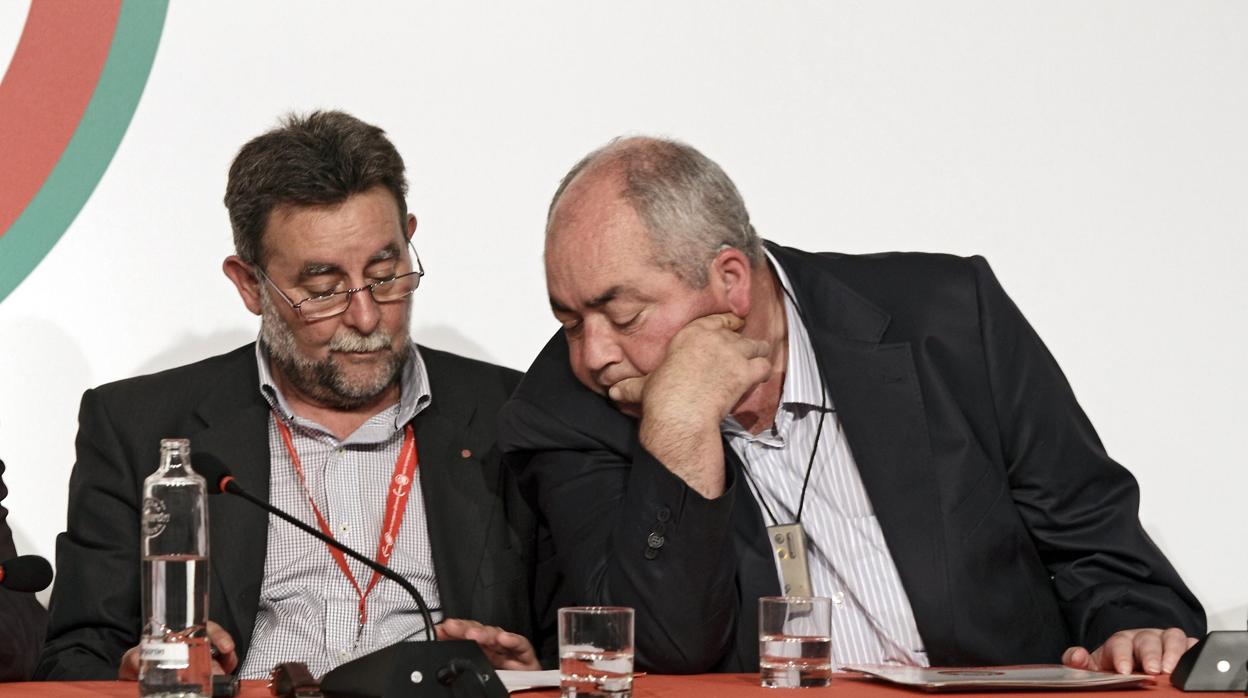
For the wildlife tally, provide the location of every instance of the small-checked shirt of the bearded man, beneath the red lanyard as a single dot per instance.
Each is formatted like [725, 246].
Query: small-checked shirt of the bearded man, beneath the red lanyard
[309, 610]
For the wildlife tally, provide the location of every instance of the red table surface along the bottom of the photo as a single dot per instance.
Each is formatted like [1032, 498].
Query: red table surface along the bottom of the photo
[709, 686]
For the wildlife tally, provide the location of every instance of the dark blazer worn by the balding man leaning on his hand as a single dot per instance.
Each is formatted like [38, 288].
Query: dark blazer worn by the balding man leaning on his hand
[1015, 535]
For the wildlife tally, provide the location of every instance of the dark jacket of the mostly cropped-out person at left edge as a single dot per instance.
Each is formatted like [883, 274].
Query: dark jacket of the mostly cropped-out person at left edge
[23, 621]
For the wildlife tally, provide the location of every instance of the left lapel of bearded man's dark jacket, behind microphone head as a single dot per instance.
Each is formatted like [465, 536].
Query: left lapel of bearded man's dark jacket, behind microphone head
[238, 433]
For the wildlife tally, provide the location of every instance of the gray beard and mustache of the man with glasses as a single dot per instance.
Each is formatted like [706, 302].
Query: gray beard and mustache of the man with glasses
[324, 380]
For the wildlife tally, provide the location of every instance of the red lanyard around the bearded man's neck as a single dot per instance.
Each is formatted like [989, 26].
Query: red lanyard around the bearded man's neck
[396, 501]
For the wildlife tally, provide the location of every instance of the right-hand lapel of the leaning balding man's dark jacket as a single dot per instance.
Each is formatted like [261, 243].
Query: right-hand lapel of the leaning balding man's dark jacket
[875, 390]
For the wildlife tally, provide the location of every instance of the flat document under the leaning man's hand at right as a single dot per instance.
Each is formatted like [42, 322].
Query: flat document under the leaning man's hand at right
[1053, 677]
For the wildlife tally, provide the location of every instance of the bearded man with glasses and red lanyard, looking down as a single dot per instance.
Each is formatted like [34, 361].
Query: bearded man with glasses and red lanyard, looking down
[318, 418]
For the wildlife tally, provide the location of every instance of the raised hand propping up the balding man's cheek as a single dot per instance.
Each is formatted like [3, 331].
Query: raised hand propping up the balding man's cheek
[709, 368]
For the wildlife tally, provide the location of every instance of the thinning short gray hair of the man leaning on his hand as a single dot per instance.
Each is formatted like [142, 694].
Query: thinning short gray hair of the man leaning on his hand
[691, 208]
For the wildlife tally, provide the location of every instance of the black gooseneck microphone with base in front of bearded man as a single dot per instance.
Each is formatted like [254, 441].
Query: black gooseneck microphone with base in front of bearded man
[406, 670]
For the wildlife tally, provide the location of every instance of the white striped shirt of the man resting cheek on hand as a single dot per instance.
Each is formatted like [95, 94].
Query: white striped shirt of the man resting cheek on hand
[849, 559]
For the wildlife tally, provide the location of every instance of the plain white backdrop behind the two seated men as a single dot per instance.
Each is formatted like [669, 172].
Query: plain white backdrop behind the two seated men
[1096, 153]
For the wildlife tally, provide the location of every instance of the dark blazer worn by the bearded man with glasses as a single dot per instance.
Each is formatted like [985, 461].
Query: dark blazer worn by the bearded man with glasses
[480, 529]
